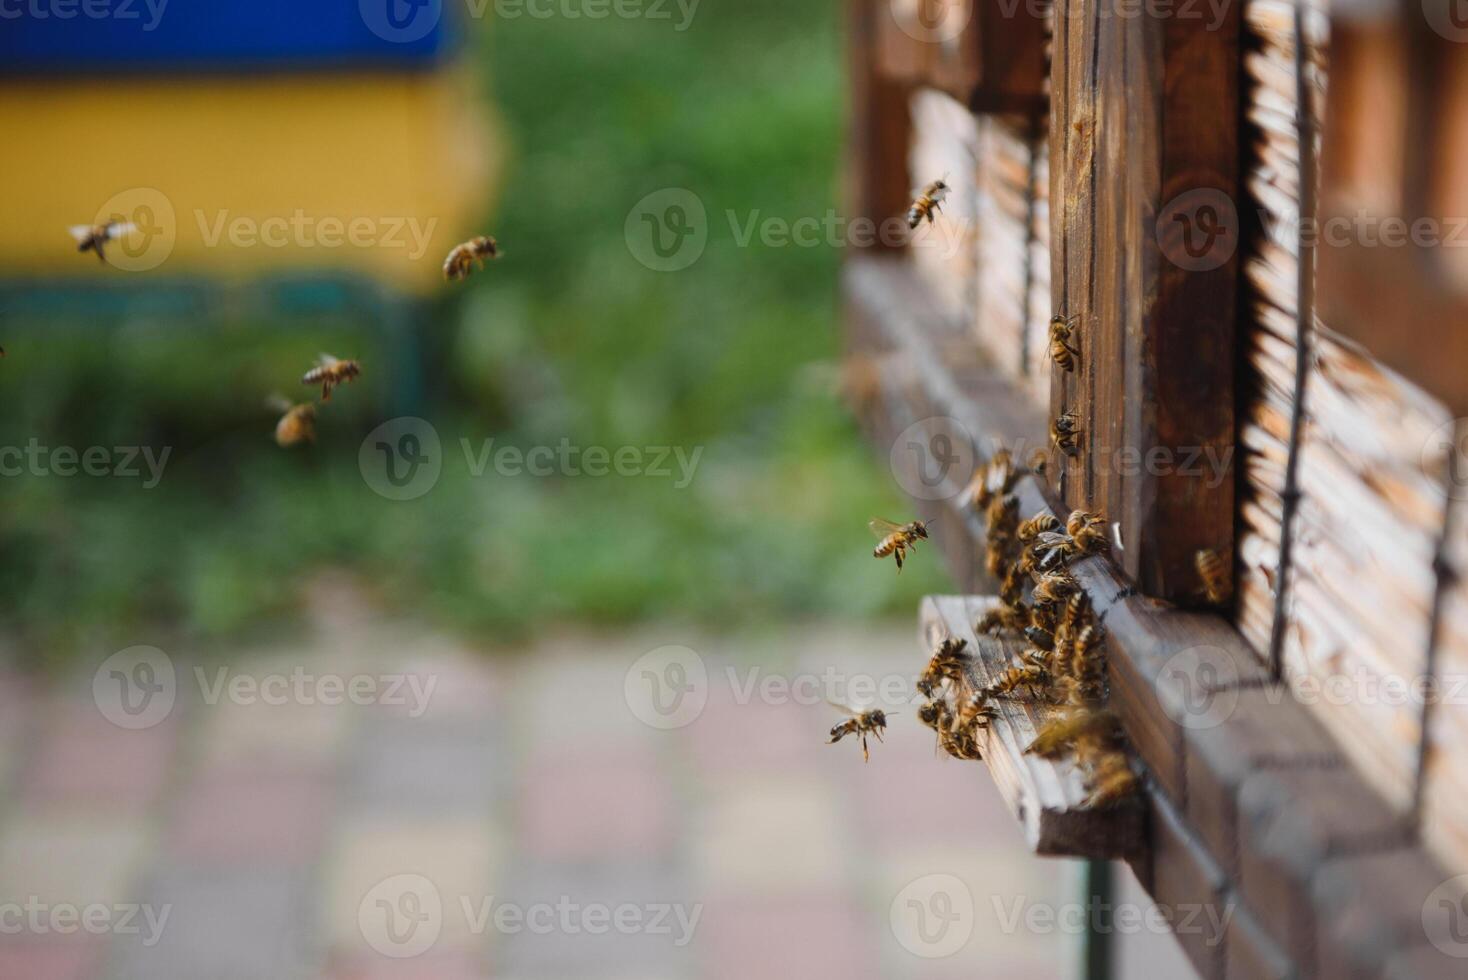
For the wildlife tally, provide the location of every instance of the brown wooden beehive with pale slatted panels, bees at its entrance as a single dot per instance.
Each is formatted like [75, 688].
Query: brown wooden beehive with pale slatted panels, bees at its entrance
[1172, 184]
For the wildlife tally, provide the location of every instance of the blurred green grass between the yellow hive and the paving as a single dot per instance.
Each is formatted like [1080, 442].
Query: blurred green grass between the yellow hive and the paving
[567, 338]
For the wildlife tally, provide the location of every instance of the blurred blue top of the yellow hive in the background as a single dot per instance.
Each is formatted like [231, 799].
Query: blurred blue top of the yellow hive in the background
[161, 36]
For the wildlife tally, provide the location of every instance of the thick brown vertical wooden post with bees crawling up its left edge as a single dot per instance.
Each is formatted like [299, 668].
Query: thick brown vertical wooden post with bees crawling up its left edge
[1146, 235]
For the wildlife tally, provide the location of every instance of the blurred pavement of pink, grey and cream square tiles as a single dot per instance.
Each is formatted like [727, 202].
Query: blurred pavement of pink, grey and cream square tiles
[526, 822]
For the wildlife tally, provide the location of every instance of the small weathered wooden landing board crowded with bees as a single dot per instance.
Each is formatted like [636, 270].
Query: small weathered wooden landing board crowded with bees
[1044, 796]
